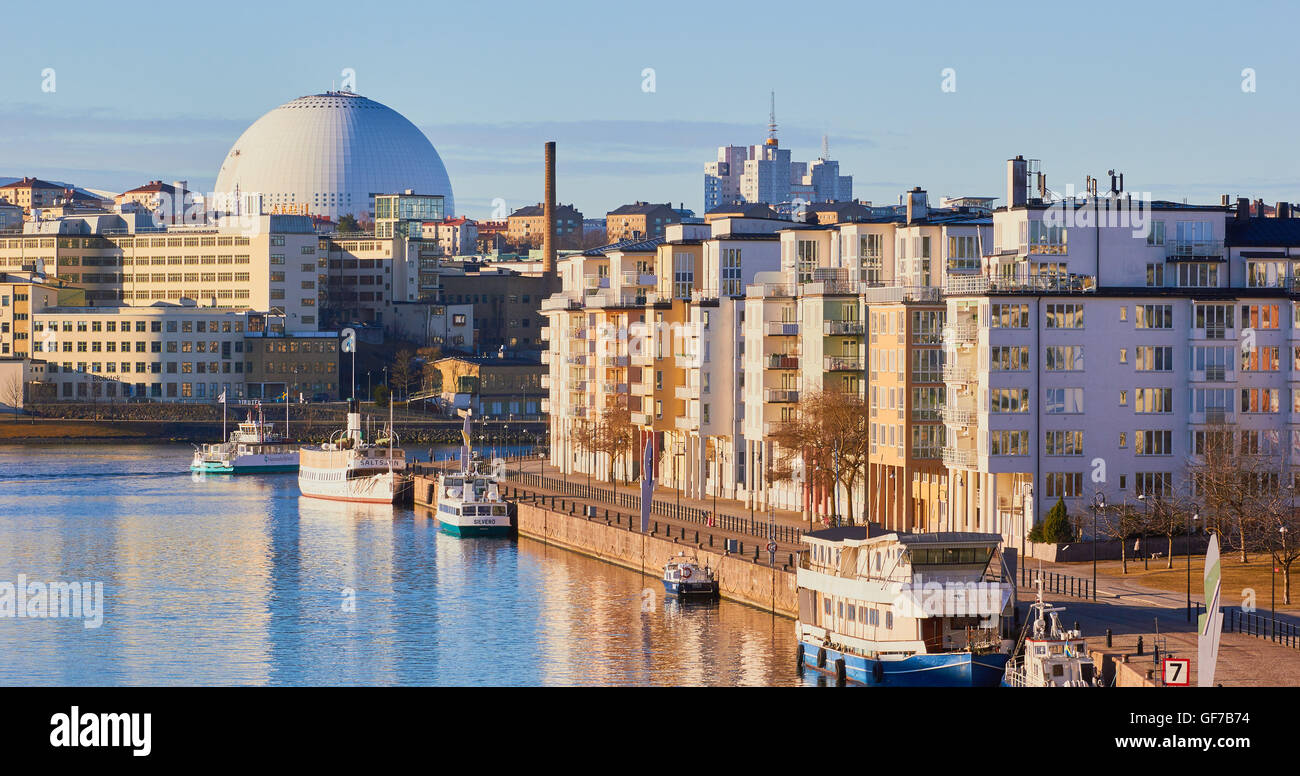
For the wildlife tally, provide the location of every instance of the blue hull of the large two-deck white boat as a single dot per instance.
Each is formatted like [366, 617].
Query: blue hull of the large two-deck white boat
[948, 670]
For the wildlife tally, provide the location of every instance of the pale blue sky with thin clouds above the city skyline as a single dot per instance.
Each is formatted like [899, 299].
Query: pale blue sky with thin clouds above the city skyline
[1151, 90]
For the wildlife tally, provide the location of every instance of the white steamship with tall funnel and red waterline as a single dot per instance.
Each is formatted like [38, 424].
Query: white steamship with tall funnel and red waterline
[352, 469]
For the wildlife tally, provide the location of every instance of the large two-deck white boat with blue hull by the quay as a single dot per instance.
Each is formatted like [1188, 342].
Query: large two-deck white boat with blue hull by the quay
[900, 609]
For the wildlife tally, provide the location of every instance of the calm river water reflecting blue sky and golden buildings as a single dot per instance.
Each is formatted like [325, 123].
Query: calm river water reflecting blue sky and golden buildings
[244, 582]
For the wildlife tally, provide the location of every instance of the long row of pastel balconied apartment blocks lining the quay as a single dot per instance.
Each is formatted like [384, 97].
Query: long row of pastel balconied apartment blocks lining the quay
[1050, 349]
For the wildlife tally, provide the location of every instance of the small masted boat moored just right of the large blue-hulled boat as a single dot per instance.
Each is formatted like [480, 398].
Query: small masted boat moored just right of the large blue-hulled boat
[1054, 657]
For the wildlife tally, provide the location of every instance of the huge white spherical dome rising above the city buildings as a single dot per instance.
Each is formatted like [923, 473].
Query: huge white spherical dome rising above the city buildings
[330, 155]
